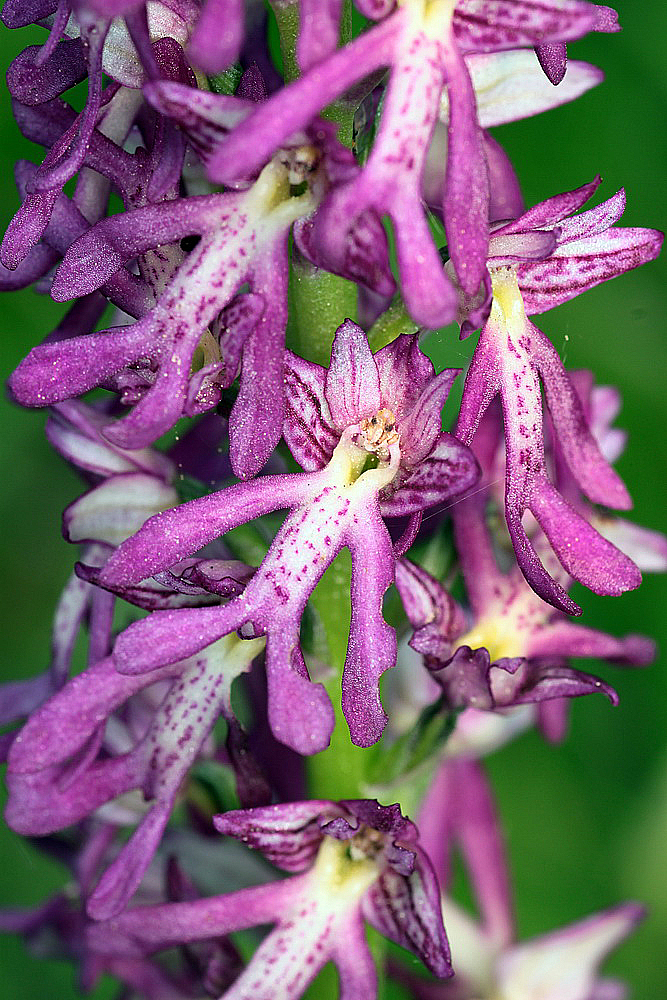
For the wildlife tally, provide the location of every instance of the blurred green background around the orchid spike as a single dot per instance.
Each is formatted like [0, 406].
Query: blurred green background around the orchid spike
[586, 822]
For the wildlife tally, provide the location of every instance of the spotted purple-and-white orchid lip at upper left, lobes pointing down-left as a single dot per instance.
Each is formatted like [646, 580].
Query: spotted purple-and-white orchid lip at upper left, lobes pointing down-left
[243, 238]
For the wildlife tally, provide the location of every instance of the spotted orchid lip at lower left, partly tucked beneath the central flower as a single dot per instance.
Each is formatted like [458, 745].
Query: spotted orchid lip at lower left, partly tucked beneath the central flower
[62, 766]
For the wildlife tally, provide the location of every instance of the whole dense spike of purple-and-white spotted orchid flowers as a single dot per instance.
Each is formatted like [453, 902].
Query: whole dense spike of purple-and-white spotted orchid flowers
[263, 439]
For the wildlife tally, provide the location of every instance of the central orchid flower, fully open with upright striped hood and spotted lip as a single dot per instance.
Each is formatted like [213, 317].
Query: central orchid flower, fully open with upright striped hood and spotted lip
[367, 432]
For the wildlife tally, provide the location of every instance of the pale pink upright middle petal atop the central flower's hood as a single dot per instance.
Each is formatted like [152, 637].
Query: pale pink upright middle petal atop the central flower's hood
[352, 387]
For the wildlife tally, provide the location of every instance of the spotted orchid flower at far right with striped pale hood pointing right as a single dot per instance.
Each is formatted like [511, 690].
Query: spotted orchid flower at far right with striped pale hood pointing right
[536, 262]
